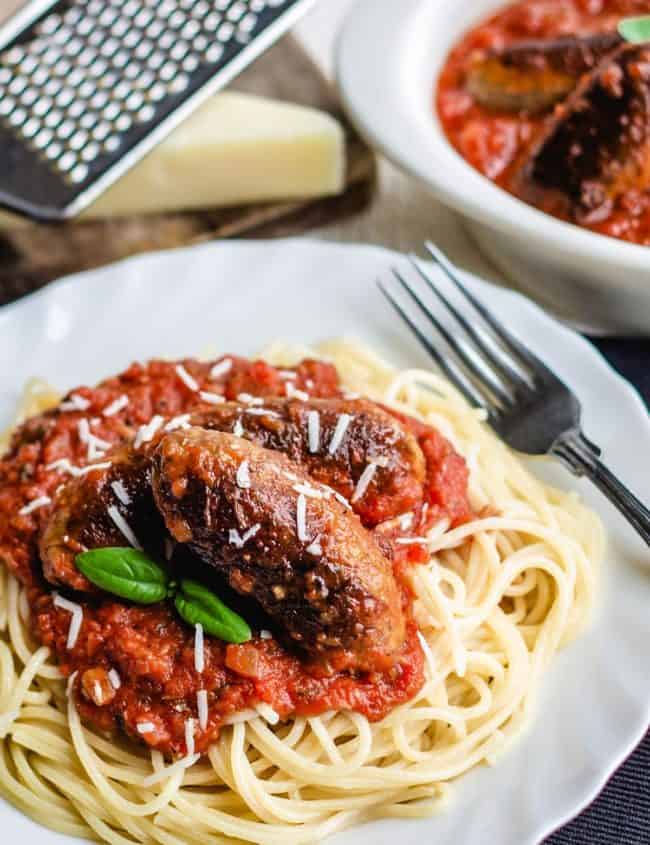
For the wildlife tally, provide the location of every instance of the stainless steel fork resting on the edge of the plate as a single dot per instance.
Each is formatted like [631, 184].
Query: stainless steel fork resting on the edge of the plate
[527, 405]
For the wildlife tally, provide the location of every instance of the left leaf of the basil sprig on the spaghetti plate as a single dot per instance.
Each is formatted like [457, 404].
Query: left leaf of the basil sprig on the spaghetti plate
[125, 572]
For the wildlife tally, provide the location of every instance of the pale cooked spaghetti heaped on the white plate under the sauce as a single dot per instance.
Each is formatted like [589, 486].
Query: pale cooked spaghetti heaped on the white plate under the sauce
[494, 594]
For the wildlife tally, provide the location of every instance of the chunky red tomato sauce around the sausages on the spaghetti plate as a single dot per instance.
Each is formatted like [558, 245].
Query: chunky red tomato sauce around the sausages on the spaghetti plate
[150, 648]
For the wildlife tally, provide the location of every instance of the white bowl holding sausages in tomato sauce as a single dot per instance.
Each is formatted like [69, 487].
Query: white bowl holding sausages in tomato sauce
[389, 58]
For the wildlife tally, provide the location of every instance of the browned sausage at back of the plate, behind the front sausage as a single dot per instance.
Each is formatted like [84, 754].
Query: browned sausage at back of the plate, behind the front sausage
[347, 437]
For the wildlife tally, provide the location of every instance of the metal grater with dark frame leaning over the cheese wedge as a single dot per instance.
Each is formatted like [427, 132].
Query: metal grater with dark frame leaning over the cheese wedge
[88, 87]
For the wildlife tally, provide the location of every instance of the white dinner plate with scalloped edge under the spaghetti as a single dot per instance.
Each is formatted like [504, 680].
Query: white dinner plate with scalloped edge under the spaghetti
[237, 297]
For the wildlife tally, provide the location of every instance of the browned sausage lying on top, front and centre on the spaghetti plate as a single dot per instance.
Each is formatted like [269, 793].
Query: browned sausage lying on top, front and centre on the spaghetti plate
[260, 521]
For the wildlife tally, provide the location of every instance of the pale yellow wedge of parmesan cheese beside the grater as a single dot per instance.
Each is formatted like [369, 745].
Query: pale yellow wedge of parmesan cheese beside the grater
[233, 150]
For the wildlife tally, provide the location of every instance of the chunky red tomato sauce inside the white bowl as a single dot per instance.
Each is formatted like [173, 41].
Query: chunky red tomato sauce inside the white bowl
[496, 142]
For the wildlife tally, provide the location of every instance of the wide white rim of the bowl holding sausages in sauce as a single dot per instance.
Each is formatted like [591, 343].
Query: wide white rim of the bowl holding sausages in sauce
[393, 49]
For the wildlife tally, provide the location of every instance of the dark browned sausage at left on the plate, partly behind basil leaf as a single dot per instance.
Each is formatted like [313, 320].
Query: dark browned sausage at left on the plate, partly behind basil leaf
[88, 511]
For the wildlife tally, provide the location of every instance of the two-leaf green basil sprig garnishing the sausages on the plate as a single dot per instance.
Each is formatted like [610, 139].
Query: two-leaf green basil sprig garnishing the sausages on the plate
[131, 575]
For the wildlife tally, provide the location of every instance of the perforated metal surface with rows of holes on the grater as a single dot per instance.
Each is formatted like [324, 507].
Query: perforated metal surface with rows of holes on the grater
[100, 69]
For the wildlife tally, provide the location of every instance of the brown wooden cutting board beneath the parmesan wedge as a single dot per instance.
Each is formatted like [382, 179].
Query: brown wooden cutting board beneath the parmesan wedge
[35, 254]
